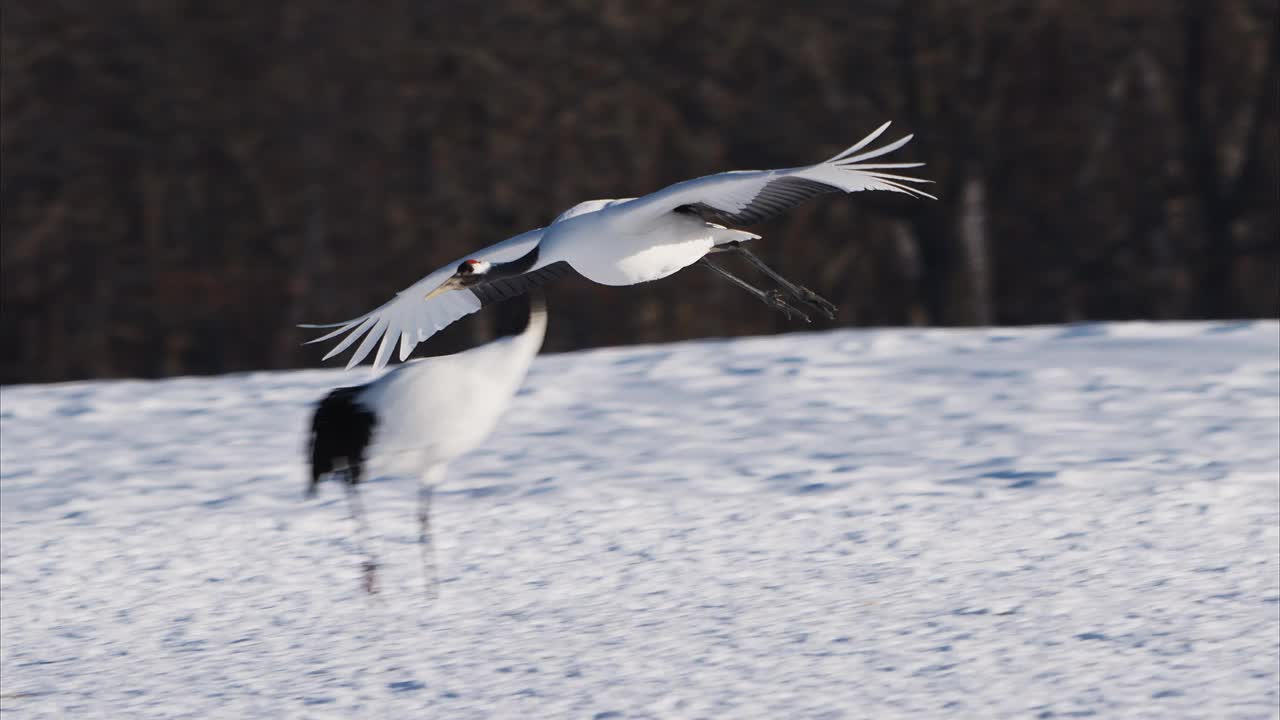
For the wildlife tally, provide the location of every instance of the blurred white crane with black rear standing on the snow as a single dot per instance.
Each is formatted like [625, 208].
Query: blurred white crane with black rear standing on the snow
[420, 417]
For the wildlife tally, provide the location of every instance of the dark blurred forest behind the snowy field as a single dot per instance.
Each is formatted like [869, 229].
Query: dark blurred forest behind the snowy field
[185, 181]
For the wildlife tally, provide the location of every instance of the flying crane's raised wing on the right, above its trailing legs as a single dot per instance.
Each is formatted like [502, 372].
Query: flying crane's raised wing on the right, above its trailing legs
[746, 198]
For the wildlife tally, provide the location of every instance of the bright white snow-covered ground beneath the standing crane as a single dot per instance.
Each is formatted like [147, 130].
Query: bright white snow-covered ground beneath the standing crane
[1009, 523]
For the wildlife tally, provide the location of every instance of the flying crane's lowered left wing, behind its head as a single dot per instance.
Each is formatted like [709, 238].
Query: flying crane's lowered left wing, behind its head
[413, 320]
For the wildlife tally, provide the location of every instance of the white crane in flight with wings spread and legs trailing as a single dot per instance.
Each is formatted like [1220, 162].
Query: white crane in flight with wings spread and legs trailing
[627, 241]
